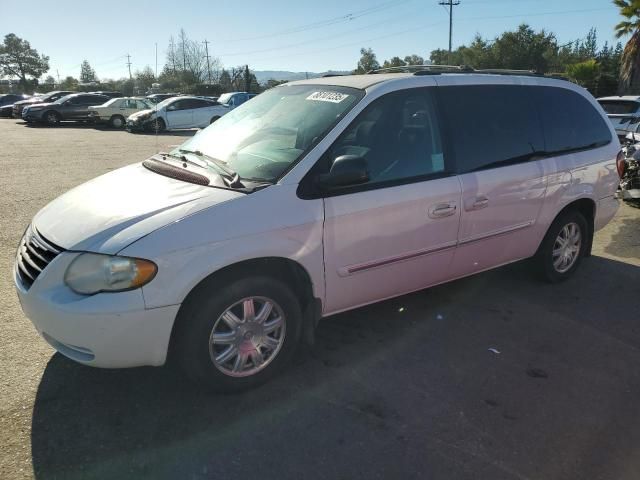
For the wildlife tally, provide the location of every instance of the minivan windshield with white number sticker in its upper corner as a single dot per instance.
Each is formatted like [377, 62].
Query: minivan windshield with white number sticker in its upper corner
[263, 138]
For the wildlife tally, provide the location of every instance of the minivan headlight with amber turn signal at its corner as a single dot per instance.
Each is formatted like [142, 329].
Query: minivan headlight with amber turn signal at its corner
[92, 273]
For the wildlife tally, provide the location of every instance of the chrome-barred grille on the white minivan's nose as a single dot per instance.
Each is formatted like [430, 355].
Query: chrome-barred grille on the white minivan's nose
[34, 254]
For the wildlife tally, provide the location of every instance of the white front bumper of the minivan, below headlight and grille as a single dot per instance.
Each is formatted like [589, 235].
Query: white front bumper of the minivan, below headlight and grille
[109, 330]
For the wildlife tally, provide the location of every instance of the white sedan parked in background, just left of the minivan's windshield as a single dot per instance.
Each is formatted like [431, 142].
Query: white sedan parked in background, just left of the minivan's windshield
[177, 113]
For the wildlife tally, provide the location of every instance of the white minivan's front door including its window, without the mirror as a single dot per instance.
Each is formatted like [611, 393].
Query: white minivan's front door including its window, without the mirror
[397, 232]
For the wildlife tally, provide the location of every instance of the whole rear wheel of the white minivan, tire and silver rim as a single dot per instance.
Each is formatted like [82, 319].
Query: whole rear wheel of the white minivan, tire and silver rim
[563, 247]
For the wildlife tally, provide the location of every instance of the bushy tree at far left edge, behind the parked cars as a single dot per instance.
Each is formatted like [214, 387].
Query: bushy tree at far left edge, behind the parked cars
[18, 59]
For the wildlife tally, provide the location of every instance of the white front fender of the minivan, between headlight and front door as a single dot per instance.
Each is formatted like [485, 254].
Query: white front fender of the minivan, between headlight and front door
[272, 222]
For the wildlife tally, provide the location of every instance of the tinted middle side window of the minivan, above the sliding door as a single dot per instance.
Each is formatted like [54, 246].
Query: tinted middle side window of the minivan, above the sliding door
[491, 125]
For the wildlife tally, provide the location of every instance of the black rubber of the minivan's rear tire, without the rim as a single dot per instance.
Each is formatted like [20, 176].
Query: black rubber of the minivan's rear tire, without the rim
[544, 258]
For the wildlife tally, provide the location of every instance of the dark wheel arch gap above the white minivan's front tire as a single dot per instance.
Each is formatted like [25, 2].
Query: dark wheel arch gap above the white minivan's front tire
[290, 272]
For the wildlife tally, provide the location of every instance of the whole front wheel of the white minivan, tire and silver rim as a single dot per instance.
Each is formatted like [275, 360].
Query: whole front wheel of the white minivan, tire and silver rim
[235, 336]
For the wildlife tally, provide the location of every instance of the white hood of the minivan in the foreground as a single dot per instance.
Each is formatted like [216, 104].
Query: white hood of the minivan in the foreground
[110, 212]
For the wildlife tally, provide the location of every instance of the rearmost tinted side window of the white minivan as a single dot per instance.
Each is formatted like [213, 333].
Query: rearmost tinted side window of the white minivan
[570, 121]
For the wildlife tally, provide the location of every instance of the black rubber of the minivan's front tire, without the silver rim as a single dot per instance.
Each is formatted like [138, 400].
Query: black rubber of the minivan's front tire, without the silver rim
[199, 314]
